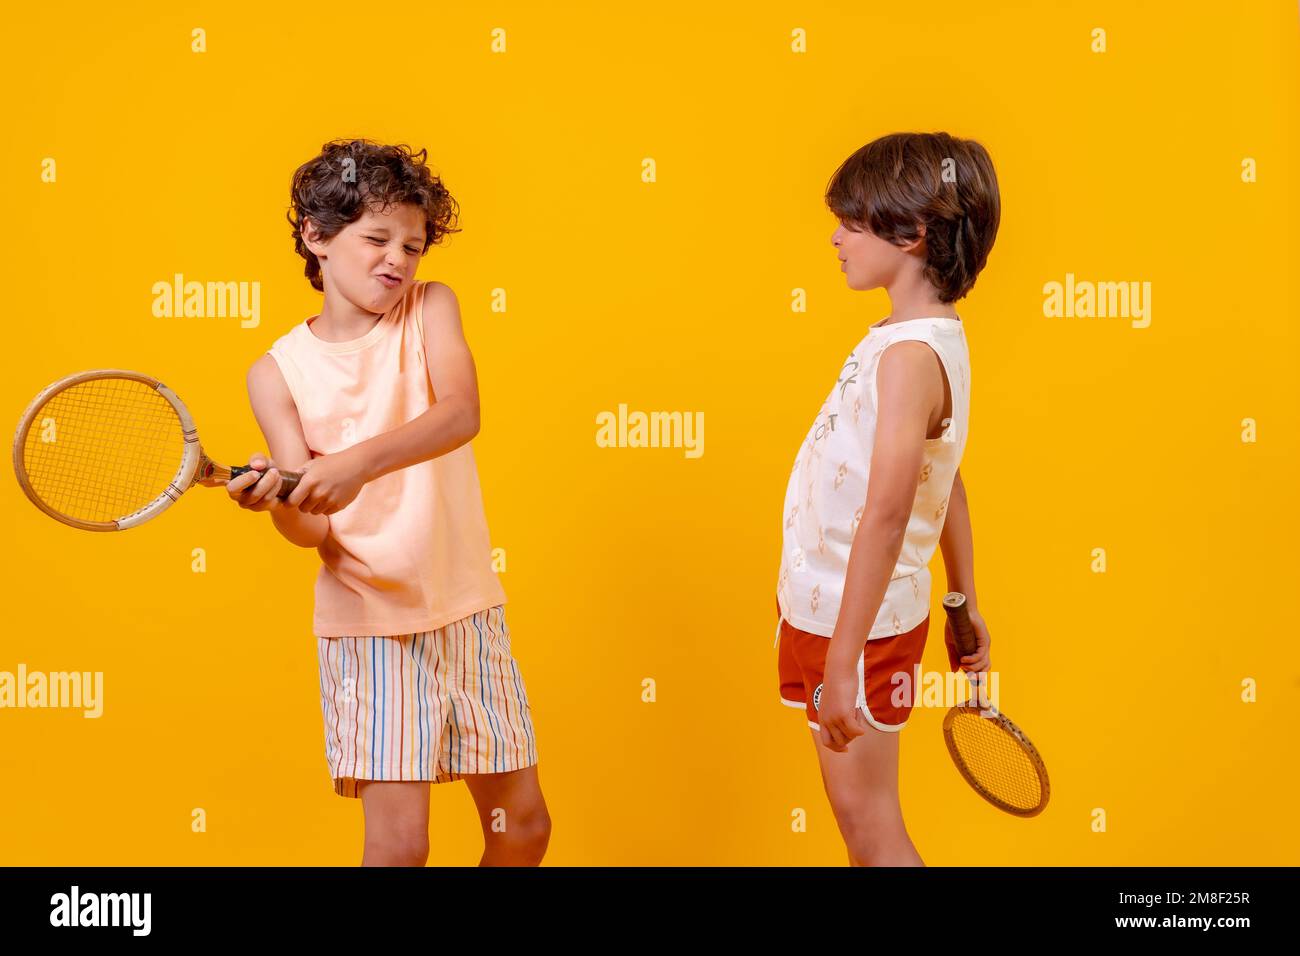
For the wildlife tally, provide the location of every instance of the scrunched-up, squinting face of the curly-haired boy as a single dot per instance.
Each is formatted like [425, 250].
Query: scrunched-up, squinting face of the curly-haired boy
[372, 262]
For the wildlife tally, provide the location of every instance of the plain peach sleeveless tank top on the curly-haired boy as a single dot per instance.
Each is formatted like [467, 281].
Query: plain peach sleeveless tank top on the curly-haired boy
[411, 552]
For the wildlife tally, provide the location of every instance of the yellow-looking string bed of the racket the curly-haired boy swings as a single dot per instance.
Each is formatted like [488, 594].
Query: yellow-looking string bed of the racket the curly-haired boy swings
[103, 449]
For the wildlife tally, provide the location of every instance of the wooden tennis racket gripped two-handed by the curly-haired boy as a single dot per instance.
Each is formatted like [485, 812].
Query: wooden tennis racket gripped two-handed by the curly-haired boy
[110, 449]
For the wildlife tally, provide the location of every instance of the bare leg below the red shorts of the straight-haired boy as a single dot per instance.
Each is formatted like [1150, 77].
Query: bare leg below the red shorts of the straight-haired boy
[863, 786]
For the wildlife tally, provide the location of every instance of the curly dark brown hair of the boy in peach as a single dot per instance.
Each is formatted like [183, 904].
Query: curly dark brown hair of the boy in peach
[352, 176]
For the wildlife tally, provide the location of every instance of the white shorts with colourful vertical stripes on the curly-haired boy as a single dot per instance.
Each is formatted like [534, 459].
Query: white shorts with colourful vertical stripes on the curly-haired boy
[424, 707]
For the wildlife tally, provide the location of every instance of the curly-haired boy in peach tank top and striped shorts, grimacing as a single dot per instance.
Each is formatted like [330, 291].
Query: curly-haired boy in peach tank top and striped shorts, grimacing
[376, 400]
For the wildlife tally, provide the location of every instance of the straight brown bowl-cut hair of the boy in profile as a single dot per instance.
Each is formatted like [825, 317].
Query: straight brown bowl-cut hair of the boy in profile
[896, 183]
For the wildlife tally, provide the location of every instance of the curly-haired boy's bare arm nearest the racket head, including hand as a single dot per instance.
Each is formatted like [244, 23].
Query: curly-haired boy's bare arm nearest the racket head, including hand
[278, 417]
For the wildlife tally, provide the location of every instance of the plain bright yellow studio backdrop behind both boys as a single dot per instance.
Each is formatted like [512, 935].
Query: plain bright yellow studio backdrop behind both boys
[634, 564]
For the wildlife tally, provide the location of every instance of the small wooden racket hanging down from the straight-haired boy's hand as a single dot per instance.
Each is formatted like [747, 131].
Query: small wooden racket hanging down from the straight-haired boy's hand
[991, 752]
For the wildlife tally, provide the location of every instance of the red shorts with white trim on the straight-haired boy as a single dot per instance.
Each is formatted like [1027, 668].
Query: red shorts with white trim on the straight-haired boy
[889, 672]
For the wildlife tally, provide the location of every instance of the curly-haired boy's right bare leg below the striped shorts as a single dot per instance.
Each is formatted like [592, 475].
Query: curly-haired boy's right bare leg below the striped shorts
[514, 817]
